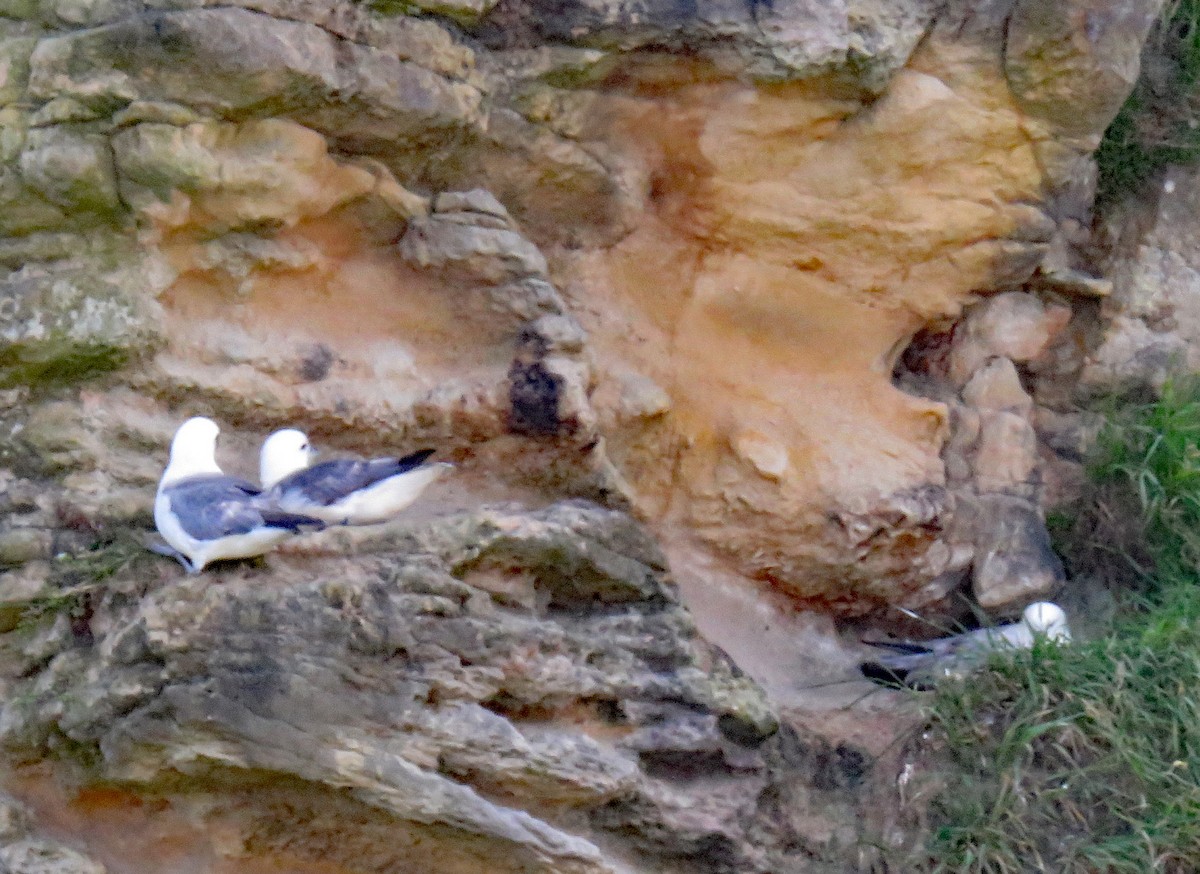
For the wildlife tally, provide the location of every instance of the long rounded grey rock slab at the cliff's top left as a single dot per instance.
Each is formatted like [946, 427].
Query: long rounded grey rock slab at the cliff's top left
[226, 62]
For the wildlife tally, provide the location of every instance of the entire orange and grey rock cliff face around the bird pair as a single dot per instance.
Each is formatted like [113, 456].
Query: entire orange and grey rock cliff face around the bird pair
[800, 286]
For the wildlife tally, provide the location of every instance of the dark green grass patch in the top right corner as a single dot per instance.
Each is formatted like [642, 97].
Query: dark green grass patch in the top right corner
[1157, 125]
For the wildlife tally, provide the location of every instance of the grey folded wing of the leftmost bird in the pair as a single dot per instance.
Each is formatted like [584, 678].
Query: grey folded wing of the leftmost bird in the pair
[213, 507]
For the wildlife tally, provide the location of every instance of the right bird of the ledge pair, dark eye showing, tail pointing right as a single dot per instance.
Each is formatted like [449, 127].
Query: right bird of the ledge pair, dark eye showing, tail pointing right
[343, 492]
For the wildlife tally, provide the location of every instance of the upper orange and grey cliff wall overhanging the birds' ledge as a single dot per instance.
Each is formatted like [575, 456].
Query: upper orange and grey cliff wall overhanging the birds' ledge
[754, 226]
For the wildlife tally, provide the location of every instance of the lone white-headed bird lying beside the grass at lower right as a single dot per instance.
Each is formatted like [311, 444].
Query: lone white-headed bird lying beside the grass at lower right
[920, 666]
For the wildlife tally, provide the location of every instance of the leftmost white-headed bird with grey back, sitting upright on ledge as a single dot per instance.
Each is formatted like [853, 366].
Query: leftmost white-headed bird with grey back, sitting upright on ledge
[206, 516]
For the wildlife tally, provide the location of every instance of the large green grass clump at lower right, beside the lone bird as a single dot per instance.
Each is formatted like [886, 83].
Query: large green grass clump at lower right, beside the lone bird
[1087, 758]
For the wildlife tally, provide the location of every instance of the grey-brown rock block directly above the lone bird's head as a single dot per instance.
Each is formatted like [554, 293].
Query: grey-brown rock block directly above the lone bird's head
[1015, 562]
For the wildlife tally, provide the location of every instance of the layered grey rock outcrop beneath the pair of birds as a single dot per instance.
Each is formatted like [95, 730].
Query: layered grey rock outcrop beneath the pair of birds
[497, 691]
